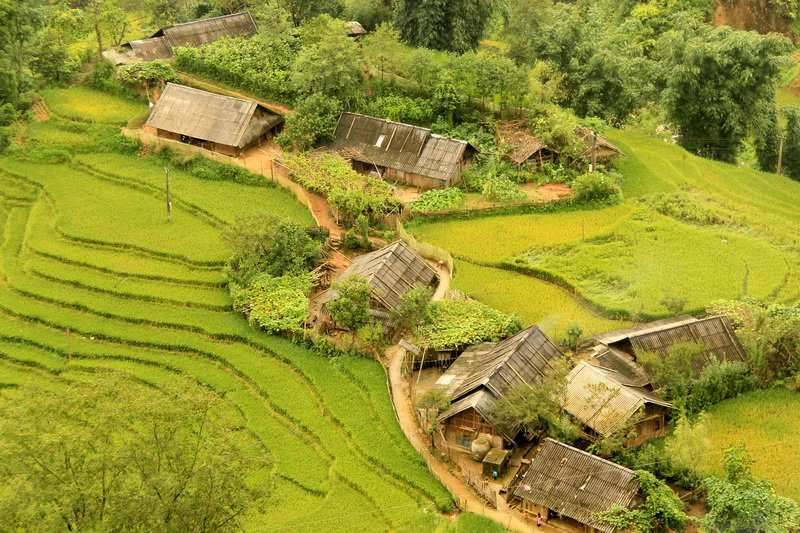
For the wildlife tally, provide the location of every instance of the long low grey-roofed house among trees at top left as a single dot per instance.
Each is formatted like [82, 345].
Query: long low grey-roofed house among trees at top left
[196, 33]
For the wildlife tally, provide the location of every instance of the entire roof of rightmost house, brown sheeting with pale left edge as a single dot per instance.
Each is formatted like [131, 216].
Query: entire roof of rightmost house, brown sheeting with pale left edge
[715, 333]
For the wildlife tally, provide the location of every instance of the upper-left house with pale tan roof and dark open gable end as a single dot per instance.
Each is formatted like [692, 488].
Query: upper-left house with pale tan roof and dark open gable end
[218, 123]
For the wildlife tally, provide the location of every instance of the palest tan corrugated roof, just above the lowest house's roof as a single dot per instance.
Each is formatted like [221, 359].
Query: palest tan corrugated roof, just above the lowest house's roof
[599, 398]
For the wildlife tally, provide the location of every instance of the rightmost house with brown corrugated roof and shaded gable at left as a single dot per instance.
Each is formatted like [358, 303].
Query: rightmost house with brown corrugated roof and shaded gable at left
[619, 349]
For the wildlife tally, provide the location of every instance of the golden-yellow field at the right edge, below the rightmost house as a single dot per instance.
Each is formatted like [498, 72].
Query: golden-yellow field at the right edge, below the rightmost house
[766, 422]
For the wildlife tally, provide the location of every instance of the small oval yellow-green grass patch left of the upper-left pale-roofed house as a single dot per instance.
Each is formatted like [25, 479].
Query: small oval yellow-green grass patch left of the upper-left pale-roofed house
[85, 104]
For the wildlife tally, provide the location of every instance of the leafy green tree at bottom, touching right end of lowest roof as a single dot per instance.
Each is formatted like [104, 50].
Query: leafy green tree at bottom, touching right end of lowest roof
[662, 509]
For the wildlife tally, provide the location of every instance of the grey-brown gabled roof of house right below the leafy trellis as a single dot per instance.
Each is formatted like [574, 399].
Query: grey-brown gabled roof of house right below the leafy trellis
[501, 366]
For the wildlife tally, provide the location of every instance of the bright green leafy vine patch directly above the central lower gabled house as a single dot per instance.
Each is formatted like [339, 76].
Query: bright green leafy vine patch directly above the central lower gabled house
[464, 322]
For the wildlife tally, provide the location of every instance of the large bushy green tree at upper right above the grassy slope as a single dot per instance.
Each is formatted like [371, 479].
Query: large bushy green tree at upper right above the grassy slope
[713, 110]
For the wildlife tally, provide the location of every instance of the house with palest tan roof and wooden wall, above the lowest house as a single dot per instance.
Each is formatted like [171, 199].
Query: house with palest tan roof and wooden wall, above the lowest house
[603, 401]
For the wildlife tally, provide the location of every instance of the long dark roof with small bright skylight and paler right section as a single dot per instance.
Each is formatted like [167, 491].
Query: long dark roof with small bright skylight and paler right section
[398, 146]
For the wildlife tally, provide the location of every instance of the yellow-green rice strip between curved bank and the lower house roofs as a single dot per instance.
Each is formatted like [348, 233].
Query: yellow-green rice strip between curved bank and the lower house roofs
[534, 300]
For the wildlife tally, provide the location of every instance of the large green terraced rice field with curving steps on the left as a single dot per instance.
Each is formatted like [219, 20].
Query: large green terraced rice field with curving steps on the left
[93, 276]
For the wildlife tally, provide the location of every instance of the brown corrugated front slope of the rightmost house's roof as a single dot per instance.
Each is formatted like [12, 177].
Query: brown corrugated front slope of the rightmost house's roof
[715, 333]
